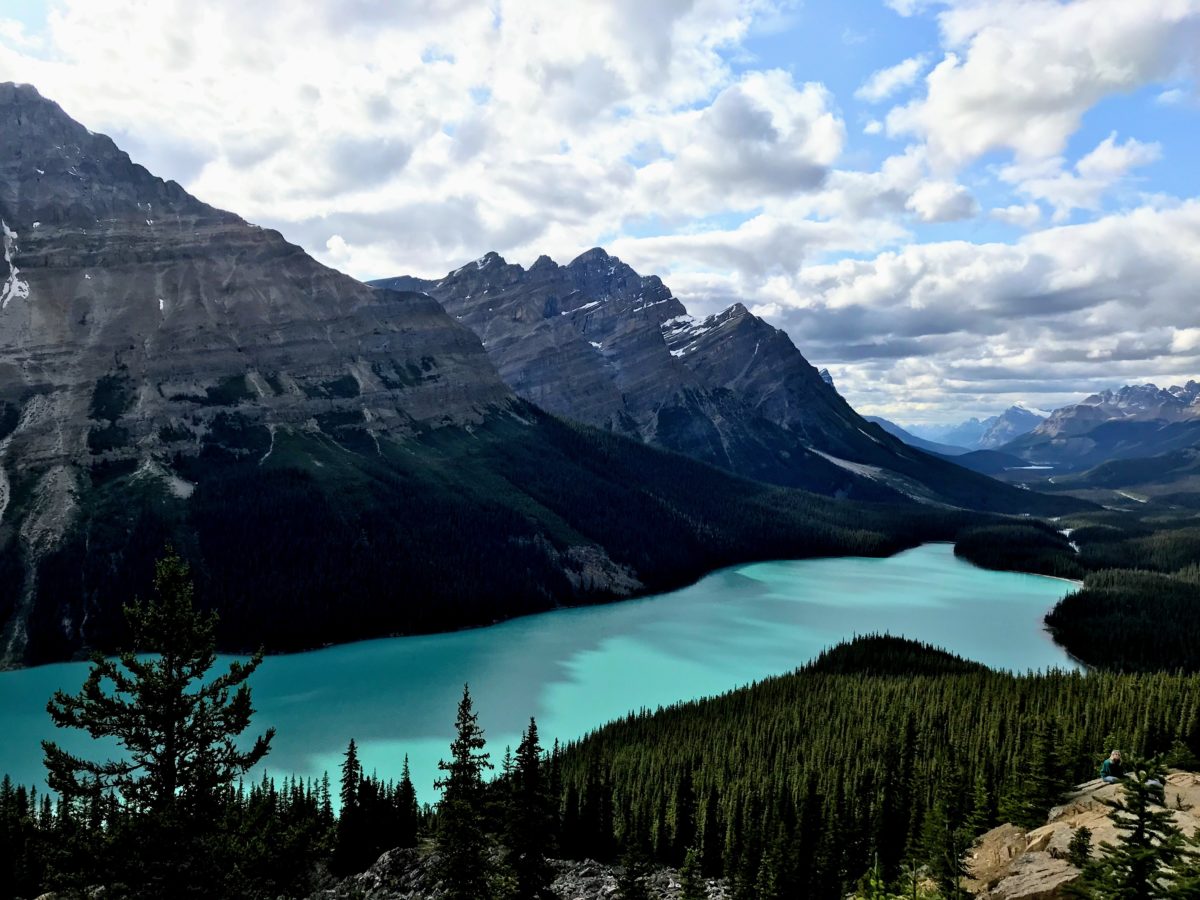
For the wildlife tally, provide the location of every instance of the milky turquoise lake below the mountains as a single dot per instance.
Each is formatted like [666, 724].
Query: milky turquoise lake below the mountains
[578, 669]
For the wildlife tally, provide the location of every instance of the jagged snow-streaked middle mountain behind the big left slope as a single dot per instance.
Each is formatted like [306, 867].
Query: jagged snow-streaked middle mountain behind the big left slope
[599, 344]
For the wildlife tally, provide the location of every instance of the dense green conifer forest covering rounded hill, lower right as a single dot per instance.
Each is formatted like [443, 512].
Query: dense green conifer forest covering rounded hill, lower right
[800, 785]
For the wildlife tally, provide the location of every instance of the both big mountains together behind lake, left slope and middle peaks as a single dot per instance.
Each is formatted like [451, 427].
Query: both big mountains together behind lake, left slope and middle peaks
[339, 461]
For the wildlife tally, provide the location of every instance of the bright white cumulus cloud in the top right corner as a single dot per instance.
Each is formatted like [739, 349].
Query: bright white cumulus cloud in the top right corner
[1021, 74]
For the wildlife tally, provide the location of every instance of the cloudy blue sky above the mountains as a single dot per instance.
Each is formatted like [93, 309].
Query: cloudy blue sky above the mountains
[953, 205]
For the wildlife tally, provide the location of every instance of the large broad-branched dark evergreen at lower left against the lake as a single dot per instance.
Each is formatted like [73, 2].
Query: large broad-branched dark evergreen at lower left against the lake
[178, 733]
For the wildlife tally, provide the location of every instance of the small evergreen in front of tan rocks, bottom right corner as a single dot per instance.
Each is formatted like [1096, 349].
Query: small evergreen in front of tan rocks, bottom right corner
[1151, 844]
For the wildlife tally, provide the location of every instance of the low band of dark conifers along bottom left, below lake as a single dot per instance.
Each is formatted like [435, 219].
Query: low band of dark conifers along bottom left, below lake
[266, 841]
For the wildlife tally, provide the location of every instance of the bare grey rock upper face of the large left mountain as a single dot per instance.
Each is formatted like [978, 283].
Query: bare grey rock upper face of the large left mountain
[140, 327]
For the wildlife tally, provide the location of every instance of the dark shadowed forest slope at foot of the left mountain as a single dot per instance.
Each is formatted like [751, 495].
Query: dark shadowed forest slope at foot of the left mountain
[329, 541]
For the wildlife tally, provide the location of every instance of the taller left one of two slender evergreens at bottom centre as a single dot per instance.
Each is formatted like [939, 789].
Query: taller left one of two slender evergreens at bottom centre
[465, 866]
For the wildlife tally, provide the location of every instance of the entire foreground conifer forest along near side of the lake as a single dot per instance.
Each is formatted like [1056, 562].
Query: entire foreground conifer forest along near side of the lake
[883, 759]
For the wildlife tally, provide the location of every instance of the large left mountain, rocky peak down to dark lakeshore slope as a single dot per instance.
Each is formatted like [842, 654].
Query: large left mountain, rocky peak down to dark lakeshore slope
[335, 461]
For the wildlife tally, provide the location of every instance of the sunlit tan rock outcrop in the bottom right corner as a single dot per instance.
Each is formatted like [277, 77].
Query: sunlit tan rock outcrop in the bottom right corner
[1011, 865]
